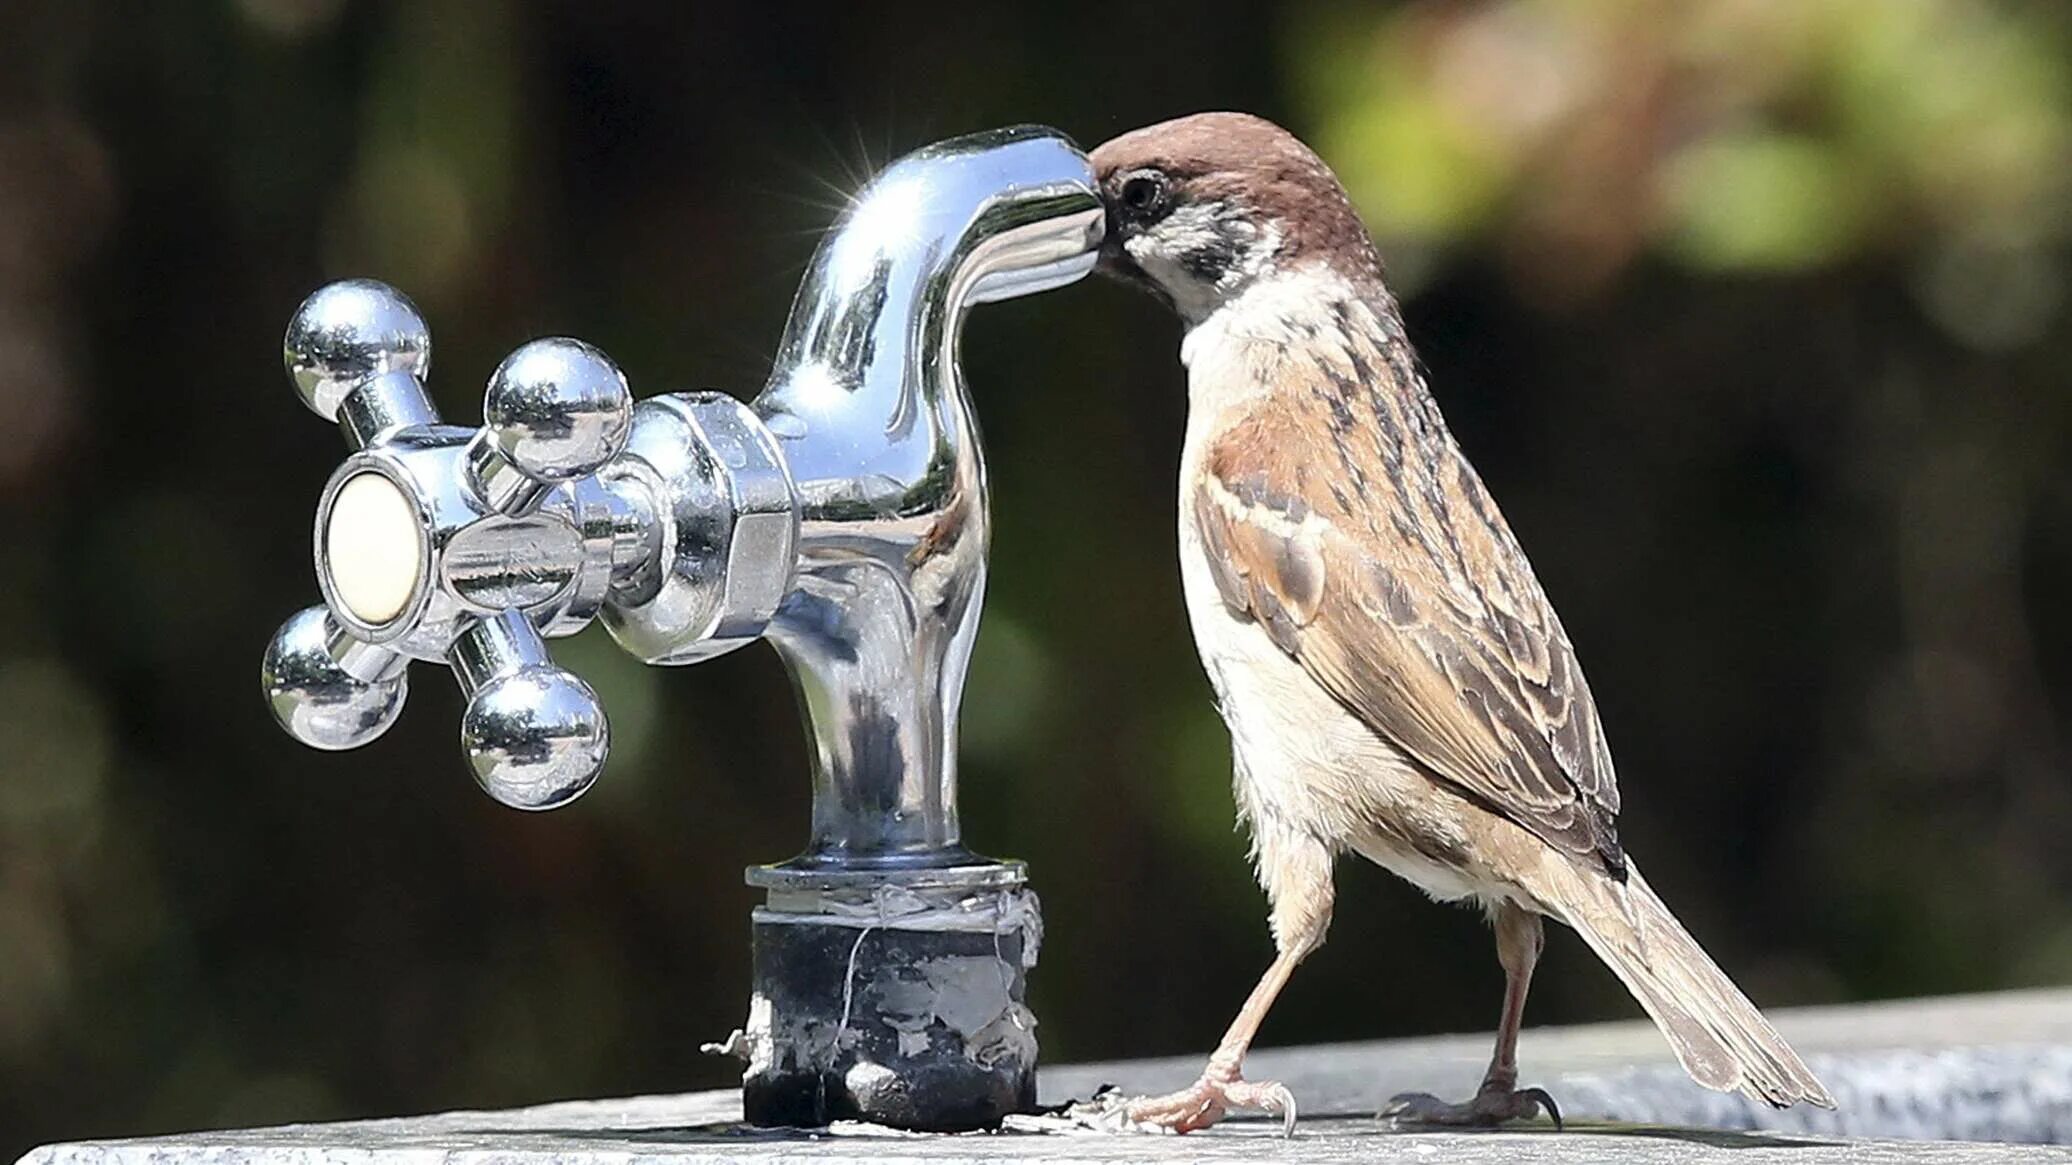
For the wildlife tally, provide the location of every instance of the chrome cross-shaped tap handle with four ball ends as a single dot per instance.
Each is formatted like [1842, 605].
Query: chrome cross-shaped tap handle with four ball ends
[453, 546]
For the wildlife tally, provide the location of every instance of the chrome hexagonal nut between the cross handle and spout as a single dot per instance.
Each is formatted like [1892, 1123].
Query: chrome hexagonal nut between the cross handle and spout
[728, 521]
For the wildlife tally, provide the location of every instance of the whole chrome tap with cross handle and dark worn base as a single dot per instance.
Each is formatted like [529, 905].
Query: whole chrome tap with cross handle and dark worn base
[842, 515]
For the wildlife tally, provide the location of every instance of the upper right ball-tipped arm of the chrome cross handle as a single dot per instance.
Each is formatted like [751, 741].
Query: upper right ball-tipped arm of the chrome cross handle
[554, 411]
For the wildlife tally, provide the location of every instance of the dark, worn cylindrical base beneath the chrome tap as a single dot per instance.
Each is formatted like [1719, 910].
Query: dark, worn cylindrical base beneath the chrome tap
[896, 1000]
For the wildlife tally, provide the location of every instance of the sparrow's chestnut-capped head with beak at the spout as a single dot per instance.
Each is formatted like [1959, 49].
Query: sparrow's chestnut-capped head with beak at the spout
[1207, 206]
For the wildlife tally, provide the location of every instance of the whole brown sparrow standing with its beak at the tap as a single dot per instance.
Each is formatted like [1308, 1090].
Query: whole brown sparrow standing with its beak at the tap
[1391, 673]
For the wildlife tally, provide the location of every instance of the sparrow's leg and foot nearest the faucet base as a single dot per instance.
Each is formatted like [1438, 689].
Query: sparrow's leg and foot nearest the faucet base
[1296, 872]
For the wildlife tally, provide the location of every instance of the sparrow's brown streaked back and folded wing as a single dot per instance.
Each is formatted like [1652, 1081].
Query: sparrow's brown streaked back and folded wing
[1385, 569]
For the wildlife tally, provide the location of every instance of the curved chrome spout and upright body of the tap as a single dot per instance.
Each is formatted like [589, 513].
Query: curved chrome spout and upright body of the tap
[877, 432]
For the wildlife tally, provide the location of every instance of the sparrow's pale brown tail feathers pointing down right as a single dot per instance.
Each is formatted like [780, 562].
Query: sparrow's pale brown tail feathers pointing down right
[1719, 1035]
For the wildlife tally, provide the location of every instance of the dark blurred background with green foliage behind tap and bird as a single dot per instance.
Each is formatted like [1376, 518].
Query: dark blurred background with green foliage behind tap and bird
[1752, 312]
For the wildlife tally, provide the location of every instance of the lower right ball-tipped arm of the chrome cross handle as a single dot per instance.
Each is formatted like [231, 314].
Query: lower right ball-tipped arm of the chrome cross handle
[536, 735]
